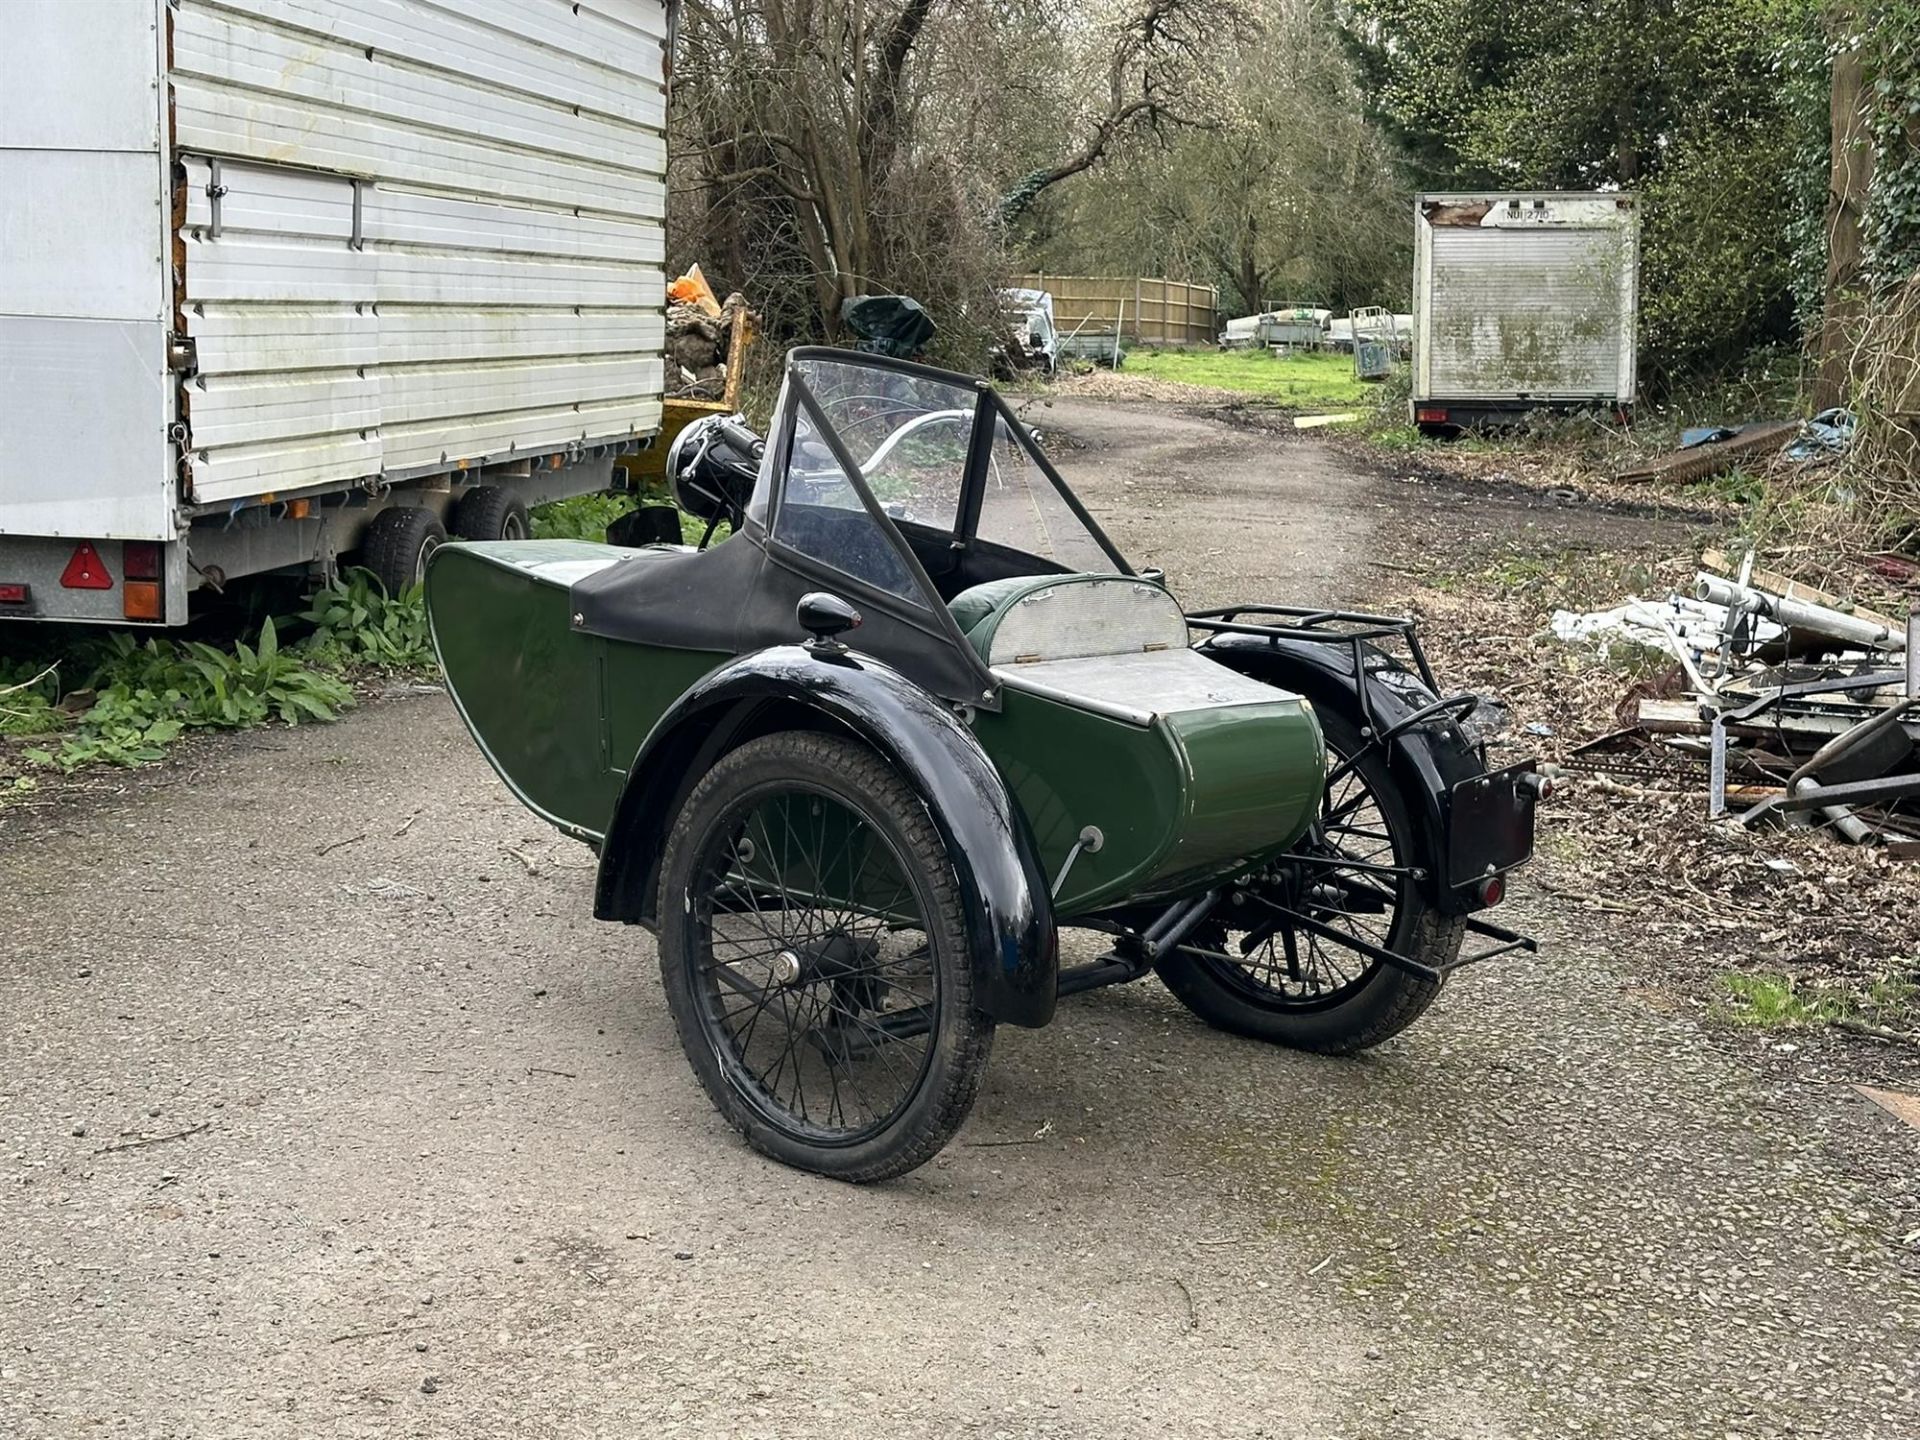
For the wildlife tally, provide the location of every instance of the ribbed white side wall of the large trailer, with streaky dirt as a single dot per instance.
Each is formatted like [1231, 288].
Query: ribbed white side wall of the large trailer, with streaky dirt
[435, 235]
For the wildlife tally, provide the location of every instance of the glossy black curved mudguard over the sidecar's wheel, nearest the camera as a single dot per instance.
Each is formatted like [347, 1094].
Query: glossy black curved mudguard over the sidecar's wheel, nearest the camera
[1003, 892]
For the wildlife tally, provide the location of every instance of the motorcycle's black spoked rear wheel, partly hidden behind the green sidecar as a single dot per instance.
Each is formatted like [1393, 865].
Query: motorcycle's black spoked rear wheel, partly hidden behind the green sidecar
[1307, 992]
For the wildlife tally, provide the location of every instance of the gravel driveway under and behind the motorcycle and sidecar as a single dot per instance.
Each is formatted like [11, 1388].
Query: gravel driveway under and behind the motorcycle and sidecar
[327, 1111]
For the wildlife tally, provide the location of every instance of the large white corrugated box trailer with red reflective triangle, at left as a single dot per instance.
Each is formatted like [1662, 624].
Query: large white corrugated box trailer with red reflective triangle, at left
[293, 279]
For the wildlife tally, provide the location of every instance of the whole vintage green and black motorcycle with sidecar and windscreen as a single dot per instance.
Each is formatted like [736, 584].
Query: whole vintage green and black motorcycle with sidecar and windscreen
[859, 763]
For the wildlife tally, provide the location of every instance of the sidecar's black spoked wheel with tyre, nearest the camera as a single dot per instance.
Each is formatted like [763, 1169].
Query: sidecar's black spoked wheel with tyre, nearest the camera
[815, 959]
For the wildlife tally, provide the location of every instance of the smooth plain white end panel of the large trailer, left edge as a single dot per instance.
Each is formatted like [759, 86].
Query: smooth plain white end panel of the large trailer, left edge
[84, 285]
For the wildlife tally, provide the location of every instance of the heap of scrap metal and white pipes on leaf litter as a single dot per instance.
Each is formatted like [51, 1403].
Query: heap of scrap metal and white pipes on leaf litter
[1788, 706]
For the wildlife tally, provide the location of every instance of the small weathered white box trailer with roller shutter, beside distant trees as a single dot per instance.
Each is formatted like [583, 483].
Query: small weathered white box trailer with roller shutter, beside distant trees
[1524, 302]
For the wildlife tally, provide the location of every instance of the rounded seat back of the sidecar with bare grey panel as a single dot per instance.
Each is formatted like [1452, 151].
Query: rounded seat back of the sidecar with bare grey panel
[1068, 617]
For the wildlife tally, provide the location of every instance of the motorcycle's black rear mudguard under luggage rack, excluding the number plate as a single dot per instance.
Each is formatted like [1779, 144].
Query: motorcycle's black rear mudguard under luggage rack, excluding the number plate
[1426, 759]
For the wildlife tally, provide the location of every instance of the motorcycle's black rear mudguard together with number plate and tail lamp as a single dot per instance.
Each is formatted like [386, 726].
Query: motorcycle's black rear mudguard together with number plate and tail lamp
[1428, 759]
